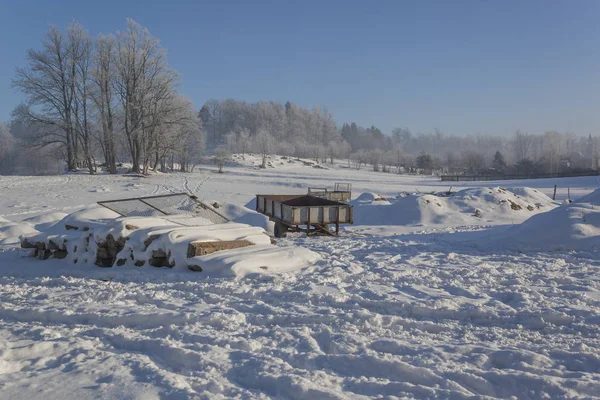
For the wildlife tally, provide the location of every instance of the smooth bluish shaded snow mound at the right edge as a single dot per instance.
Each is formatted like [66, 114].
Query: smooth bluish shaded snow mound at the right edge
[574, 226]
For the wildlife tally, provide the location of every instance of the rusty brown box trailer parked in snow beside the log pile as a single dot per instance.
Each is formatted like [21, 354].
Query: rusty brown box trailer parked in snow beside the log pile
[306, 213]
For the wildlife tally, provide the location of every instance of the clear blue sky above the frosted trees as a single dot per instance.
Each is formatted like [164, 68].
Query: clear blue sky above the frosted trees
[463, 67]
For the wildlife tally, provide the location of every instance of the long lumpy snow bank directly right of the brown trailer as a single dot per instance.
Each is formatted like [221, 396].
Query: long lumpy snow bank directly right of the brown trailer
[474, 206]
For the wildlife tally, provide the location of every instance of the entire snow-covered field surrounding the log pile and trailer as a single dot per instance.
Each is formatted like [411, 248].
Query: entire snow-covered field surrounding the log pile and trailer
[436, 301]
